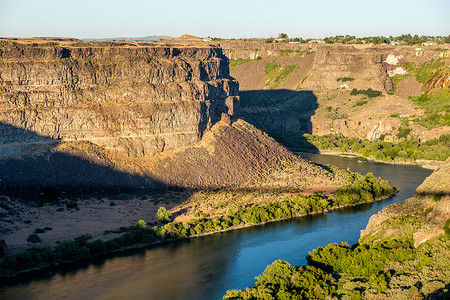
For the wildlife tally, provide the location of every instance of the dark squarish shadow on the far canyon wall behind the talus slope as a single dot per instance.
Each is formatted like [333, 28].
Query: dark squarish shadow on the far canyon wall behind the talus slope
[283, 114]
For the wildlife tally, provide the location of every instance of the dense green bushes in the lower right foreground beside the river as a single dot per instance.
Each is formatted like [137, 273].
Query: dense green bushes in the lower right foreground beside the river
[390, 268]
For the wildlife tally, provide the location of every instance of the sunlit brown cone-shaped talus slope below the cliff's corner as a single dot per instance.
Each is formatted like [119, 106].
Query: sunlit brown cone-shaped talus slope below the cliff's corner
[236, 154]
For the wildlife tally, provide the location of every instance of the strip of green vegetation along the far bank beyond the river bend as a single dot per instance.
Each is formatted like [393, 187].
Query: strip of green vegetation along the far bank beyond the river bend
[434, 149]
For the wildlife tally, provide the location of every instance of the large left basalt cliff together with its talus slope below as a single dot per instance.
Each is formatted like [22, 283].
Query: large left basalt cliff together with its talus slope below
[99, 116]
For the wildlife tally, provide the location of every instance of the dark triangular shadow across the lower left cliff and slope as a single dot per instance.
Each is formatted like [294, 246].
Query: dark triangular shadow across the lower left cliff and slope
[41, 172]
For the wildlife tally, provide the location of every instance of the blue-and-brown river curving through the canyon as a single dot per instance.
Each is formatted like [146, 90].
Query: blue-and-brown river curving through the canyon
[205, 267]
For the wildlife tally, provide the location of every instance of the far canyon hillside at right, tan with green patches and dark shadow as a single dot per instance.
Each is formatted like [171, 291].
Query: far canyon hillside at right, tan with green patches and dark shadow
[362, 91]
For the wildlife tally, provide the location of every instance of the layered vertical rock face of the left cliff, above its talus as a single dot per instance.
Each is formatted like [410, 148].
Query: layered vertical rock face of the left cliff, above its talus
[140, 99]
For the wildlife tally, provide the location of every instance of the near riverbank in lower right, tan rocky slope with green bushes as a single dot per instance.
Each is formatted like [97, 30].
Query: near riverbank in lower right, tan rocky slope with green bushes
[402, 253]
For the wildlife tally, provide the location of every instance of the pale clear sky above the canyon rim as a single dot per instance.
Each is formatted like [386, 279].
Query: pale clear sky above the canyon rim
[225, 18]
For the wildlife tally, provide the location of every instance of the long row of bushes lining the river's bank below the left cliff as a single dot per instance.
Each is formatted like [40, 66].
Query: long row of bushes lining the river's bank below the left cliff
[360, 189]
